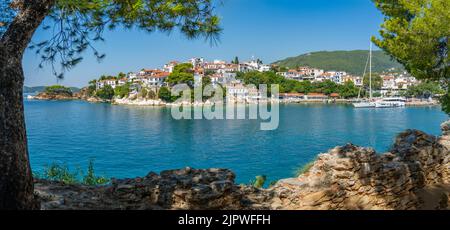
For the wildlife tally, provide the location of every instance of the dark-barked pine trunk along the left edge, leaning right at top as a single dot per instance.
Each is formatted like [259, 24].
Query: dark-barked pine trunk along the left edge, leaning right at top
[16, 181]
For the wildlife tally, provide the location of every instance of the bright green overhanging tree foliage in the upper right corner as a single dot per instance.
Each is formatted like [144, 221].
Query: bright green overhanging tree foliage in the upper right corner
[416, 33]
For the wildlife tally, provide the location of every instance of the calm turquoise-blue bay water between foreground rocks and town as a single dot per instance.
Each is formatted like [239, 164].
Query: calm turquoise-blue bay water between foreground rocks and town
[132, 141]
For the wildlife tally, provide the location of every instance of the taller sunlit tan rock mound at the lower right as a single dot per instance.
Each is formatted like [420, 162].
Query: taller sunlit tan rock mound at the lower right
[352, 177]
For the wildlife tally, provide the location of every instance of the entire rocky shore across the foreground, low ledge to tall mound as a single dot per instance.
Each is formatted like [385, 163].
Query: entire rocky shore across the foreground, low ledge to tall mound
[415, 174]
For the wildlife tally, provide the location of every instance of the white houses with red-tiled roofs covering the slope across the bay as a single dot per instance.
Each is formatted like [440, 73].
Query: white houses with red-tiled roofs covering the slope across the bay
[225, 74]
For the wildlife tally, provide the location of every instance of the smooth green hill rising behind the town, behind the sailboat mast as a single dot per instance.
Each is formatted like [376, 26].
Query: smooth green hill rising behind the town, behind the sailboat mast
[350, 61]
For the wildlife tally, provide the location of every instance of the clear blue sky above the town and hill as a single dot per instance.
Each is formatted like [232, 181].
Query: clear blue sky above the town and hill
[268, 29]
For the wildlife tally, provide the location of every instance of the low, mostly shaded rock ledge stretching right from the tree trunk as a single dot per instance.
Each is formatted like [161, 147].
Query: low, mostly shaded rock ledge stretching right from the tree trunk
[175, 189]
